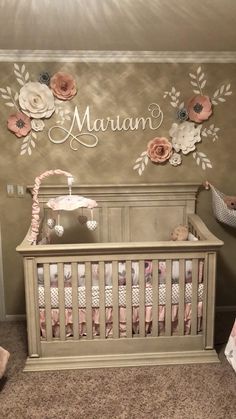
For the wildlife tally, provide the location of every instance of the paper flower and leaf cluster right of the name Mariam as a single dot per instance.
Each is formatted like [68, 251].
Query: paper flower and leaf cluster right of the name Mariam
[189, 129]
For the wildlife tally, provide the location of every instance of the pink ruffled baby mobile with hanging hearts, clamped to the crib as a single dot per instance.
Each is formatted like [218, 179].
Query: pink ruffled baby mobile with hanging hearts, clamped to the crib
[61, 203]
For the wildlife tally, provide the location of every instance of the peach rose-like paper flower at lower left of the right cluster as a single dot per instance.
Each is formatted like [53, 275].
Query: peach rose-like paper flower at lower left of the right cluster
[159, 150]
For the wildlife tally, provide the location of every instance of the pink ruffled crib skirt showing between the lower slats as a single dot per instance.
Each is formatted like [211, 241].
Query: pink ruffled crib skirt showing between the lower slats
[122, 320]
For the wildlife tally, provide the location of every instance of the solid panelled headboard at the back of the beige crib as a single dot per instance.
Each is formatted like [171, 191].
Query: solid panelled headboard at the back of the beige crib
[125, 213]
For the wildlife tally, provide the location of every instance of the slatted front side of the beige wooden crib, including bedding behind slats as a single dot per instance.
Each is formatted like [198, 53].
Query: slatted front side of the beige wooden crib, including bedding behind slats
[119, 305]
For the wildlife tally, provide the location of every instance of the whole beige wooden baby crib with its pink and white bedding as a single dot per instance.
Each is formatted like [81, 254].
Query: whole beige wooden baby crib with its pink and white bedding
[134, 230]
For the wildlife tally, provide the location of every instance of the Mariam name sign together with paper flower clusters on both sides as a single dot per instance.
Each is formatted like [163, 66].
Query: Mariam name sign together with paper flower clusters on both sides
[41, 97]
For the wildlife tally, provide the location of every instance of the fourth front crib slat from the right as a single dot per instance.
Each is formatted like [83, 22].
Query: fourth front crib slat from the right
[155, 297]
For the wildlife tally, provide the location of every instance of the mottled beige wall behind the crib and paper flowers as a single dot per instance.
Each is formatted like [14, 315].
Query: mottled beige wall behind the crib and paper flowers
[125, 89]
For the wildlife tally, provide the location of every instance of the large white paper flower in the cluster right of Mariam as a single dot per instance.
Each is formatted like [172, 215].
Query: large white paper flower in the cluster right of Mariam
[185, 136]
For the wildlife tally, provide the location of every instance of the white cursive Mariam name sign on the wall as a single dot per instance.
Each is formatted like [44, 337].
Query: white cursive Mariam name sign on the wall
[88, 129]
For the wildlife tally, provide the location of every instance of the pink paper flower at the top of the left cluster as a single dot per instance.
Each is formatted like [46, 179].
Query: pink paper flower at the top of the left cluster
[63, 86]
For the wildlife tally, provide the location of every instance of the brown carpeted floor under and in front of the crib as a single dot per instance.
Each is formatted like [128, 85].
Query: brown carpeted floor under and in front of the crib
[205, 391]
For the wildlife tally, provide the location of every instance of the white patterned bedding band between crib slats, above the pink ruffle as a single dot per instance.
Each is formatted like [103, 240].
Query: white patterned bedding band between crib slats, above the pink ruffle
[122, 295]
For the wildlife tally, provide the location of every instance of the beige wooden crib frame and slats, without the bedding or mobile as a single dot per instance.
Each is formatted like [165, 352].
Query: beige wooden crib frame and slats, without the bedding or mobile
[120, 210]
